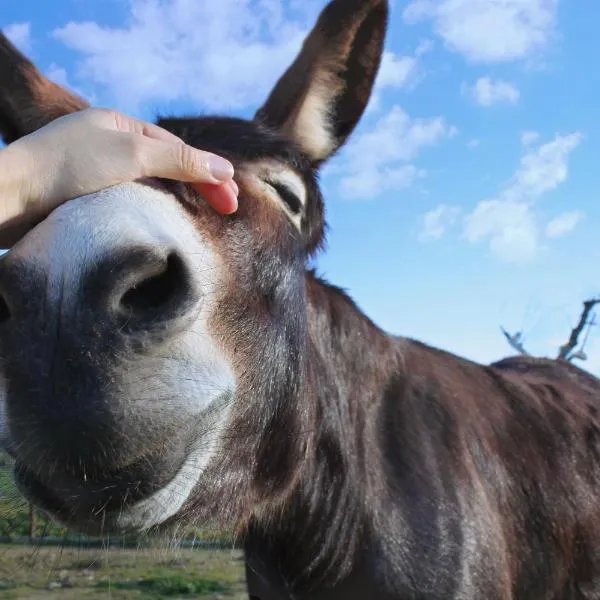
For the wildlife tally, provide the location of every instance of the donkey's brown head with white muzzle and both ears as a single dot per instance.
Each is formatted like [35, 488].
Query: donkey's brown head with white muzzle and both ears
[151, 349]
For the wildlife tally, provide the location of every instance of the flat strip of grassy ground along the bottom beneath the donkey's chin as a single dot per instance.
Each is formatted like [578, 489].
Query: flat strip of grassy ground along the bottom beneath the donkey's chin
[31, 572]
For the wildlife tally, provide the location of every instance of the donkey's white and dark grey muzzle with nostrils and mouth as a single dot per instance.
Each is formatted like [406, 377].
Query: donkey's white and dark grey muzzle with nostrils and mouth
[123, 392]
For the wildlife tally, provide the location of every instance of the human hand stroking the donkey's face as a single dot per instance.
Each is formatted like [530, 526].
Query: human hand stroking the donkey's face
[90, 150]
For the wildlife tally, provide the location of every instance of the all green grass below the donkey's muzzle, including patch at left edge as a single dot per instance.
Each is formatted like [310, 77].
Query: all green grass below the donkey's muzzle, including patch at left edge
[75, 571]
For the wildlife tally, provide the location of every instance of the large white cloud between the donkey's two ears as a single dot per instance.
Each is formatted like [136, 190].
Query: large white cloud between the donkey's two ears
[222, 56]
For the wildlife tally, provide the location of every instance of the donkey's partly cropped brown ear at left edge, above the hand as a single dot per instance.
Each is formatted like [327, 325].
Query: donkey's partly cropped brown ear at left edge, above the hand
[28, 100]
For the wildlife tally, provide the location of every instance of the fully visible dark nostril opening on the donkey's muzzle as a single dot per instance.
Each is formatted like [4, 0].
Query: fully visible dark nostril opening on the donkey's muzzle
[167, 288]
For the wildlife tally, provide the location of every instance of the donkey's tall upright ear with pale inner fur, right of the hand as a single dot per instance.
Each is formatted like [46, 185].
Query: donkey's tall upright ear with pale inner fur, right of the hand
[321, 97]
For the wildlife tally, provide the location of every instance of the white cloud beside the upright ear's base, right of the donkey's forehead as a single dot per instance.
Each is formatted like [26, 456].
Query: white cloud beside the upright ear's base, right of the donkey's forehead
[379, 158]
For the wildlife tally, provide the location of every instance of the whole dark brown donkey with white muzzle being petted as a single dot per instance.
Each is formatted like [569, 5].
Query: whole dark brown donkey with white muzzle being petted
[163, 364]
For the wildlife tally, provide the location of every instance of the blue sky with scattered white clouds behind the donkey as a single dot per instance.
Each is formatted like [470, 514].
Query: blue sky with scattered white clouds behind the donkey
[468, 198]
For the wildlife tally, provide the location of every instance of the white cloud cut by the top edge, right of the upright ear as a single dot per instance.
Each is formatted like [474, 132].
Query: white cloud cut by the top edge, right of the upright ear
[489, 31]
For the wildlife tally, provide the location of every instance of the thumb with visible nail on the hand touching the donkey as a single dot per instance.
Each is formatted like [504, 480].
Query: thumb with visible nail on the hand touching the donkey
[159, 158]
